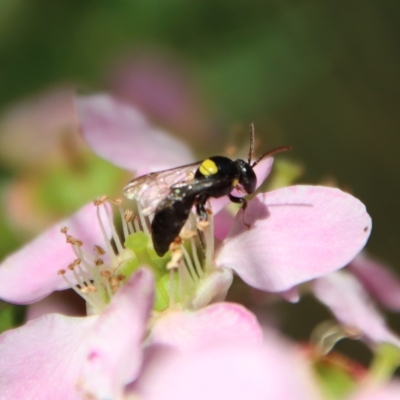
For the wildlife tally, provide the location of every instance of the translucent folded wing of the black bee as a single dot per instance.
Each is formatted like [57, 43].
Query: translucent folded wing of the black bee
[150, 189]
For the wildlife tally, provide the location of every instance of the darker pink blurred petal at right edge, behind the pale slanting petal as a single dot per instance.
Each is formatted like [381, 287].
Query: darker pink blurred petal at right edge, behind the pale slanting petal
[379, 279]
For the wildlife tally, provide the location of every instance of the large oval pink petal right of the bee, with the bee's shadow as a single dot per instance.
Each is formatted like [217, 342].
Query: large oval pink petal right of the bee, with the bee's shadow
[297, 233]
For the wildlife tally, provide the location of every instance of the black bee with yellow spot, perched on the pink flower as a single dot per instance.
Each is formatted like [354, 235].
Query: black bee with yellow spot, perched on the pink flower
[172, 193]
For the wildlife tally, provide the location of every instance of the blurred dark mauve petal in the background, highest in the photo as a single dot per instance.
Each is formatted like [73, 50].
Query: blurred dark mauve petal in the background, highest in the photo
[162, 88]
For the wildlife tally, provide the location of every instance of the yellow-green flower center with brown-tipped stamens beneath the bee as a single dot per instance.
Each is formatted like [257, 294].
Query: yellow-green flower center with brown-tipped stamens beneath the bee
[185, 276]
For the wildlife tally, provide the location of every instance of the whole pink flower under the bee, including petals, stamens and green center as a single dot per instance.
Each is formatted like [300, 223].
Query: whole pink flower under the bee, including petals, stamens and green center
[131, 346]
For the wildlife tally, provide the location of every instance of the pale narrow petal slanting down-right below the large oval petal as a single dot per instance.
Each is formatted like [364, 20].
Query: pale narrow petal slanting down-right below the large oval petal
[352, 306]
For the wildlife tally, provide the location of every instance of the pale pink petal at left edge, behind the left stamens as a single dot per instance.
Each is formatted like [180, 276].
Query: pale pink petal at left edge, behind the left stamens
[31, 273]
